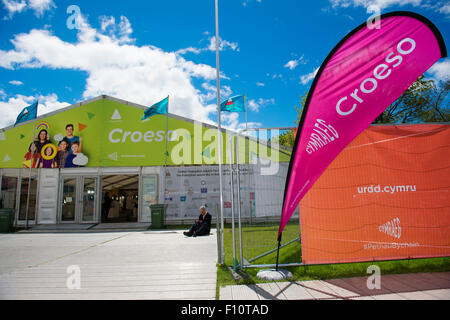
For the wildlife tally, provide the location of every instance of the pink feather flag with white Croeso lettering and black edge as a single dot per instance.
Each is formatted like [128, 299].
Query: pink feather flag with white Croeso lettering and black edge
[365, 73]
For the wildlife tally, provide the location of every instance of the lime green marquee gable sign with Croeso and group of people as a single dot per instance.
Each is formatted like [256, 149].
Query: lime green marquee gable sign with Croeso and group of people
[106, 133]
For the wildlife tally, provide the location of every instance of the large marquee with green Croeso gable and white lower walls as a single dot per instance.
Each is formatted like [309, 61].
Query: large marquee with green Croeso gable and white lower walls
[98, 162]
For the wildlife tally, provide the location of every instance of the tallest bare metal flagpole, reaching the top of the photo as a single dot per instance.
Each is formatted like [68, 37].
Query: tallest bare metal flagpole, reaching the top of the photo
[221, 248]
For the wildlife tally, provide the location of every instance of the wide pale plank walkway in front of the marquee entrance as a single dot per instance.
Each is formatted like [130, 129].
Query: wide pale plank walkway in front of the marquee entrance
[111, 265]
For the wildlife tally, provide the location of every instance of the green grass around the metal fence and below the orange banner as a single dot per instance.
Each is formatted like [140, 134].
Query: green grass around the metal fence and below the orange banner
[256, 241]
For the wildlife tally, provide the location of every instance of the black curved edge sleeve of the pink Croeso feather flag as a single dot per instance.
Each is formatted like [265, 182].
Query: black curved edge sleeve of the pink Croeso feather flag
[416, 16]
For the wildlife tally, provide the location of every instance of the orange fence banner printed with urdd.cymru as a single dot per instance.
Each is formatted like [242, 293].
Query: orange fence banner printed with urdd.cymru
[386, 196]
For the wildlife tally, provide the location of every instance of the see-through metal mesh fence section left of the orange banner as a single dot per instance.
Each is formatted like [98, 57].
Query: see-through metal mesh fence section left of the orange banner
[254, 227]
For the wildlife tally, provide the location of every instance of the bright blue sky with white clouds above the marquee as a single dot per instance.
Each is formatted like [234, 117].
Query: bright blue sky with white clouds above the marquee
[142, 51]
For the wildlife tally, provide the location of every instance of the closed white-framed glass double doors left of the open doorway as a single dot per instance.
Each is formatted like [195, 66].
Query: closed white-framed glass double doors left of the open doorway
[79, 199]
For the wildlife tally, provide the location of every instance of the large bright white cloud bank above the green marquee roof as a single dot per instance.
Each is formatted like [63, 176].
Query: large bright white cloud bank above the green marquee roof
[142, 74]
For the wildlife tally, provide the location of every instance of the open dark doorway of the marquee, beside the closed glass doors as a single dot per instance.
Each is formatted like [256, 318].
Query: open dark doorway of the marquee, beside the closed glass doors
[120, 198]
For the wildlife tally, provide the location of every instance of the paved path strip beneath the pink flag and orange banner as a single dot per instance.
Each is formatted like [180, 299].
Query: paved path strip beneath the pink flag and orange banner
[416, 286]
